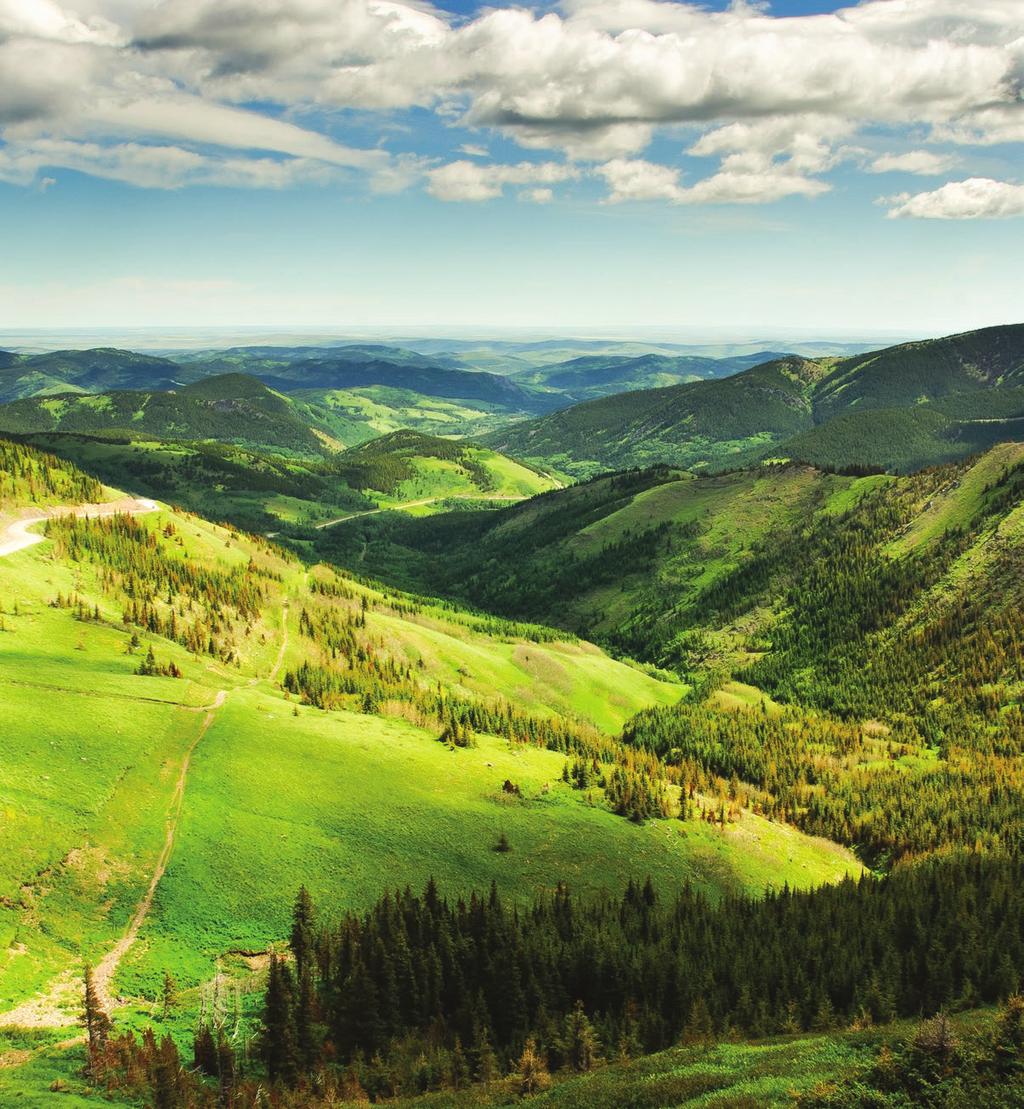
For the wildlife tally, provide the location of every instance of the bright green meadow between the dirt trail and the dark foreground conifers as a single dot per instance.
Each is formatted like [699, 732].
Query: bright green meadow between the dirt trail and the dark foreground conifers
[351, 806]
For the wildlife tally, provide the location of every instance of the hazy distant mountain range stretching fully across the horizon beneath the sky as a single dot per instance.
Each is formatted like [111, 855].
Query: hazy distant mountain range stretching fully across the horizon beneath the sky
[901, 409]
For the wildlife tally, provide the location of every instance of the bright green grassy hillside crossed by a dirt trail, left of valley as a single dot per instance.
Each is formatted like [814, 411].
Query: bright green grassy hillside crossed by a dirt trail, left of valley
[347, 800]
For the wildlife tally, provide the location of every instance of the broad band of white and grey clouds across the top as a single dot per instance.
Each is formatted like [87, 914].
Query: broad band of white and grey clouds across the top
[777, 103]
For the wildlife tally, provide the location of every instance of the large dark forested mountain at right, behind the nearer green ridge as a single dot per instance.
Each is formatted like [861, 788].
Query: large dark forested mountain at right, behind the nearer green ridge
[787, 410]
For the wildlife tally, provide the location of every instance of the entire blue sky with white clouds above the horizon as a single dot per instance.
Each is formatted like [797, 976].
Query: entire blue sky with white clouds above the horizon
[593, 165]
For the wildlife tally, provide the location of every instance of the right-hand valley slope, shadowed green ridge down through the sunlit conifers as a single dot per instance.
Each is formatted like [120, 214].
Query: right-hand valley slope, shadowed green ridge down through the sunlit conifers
[879, 612]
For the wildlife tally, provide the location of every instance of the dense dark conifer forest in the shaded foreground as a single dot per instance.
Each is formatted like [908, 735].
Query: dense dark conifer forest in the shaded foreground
[421, 979]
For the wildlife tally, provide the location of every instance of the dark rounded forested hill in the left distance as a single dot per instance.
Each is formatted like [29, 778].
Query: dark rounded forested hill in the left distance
[229, 409]
